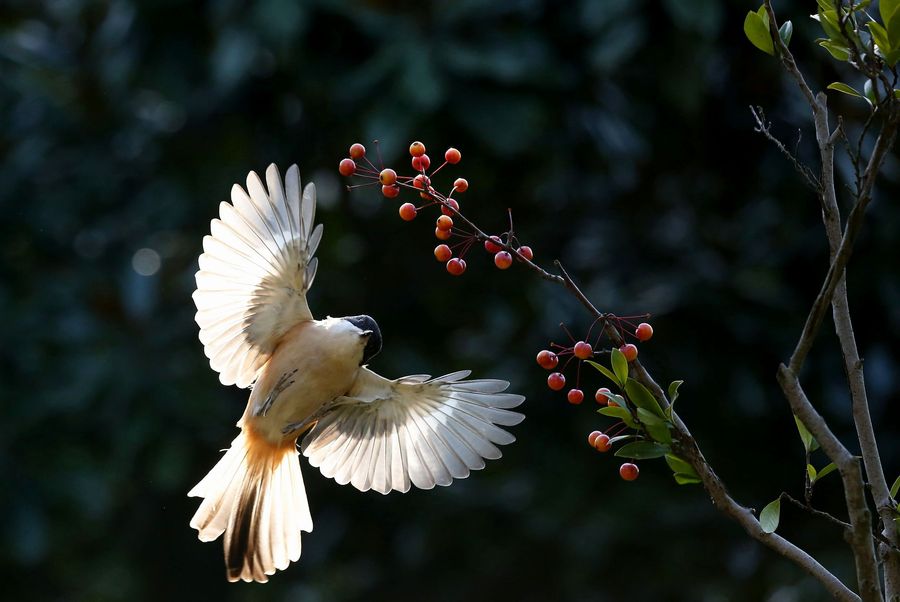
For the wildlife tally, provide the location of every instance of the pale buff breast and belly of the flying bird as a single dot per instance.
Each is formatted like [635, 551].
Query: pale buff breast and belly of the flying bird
[312, 365]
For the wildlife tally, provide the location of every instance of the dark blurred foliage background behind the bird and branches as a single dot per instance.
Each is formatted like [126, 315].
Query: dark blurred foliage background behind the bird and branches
[619, 134]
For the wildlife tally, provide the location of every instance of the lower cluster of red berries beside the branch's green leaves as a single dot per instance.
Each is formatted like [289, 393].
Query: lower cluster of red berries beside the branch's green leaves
[582, 351]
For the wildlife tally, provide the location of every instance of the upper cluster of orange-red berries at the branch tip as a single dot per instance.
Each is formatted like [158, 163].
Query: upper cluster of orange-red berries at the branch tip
[503, 248]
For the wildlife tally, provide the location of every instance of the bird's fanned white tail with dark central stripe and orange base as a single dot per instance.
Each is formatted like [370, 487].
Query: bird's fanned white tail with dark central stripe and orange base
[255, 496]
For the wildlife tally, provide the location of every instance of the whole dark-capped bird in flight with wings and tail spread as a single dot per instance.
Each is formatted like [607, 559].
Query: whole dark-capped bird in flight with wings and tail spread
[310, 378]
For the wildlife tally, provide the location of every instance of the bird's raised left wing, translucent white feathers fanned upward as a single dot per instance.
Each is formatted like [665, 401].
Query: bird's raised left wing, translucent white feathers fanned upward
[255, 270]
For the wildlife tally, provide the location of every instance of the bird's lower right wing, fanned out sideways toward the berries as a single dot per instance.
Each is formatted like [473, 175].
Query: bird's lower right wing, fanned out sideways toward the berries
[389, 434]
